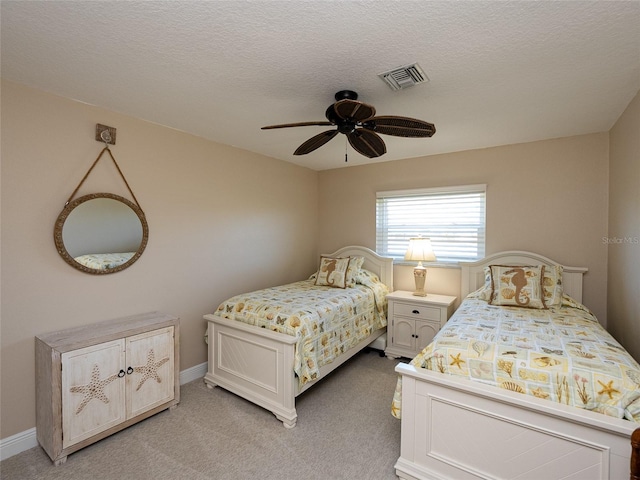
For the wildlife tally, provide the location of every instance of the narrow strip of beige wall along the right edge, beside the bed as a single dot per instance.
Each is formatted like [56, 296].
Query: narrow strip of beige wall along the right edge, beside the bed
[623, 300]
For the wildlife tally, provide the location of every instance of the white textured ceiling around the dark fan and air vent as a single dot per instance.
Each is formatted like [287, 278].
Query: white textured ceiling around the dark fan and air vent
[501, 72]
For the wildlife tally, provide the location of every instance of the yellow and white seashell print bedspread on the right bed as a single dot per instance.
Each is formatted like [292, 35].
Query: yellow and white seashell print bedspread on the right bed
[562, 354]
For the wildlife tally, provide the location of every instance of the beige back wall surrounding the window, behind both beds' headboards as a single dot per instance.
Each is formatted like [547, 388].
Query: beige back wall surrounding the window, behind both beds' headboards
[548, 197]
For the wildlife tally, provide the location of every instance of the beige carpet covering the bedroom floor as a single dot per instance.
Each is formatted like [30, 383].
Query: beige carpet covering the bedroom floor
[345, 431]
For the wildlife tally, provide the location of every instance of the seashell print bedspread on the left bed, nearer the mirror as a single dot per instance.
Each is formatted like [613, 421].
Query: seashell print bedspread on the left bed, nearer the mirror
[327, 321]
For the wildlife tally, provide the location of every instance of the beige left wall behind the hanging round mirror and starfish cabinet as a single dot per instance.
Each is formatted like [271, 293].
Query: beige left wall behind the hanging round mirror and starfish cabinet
[221, 221]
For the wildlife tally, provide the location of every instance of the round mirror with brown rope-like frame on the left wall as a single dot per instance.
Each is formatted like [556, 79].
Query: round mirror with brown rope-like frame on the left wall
[101, 233]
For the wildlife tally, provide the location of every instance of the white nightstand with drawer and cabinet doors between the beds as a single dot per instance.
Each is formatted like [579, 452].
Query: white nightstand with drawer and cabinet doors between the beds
[413, 321]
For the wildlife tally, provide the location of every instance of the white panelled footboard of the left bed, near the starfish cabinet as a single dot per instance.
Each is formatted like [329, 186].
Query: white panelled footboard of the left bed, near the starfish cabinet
[254, 363]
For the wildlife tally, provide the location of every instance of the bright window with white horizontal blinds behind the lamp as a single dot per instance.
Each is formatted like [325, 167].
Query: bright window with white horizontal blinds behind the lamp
[453, 217]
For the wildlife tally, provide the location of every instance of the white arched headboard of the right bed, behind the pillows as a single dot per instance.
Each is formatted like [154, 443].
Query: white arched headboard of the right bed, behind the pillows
[473, 272]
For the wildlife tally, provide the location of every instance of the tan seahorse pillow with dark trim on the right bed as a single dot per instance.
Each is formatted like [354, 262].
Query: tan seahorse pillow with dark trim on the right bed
[517, 286]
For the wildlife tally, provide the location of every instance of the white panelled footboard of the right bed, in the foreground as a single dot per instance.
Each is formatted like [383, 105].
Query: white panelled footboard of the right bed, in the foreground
[456, 429]
